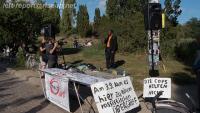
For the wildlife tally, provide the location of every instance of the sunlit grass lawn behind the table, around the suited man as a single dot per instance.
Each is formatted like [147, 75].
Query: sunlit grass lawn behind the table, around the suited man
[135, 65]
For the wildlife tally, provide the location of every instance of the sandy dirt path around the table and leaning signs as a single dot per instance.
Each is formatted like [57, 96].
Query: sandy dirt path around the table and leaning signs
[21, 92]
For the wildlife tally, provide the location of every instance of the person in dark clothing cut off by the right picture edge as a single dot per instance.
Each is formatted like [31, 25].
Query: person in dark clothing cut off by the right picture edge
[196, 68]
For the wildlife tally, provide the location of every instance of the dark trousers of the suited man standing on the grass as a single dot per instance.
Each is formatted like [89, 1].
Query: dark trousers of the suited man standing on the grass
[110, 58]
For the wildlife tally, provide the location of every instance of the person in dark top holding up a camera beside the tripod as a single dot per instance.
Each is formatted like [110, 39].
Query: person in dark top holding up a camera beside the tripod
[51, 52]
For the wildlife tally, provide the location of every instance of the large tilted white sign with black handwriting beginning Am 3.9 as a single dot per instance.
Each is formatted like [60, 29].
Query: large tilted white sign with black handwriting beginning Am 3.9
[115, 96]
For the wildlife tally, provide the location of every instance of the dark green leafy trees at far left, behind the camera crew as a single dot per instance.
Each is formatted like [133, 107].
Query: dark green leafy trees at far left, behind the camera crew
[23, 25]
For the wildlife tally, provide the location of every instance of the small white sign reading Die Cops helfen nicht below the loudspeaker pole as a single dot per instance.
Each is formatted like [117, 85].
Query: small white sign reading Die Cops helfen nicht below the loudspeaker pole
[154, 85]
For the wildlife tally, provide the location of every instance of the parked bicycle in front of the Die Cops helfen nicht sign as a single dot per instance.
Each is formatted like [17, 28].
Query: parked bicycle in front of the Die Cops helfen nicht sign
[169, 106]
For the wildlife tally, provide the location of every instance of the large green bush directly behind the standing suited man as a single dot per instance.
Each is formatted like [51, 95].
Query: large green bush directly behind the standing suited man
[129, 31]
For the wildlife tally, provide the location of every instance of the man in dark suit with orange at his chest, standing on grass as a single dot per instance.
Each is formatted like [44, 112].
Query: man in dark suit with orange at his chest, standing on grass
[110, 50]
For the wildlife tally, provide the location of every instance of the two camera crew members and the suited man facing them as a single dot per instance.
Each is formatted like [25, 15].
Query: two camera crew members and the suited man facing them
[49, 57]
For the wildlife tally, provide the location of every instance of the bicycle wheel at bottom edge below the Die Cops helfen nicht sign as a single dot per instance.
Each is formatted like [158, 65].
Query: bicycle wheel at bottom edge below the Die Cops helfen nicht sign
[170, 106]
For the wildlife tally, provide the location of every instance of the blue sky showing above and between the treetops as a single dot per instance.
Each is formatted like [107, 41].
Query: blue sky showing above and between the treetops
[190, 8]
